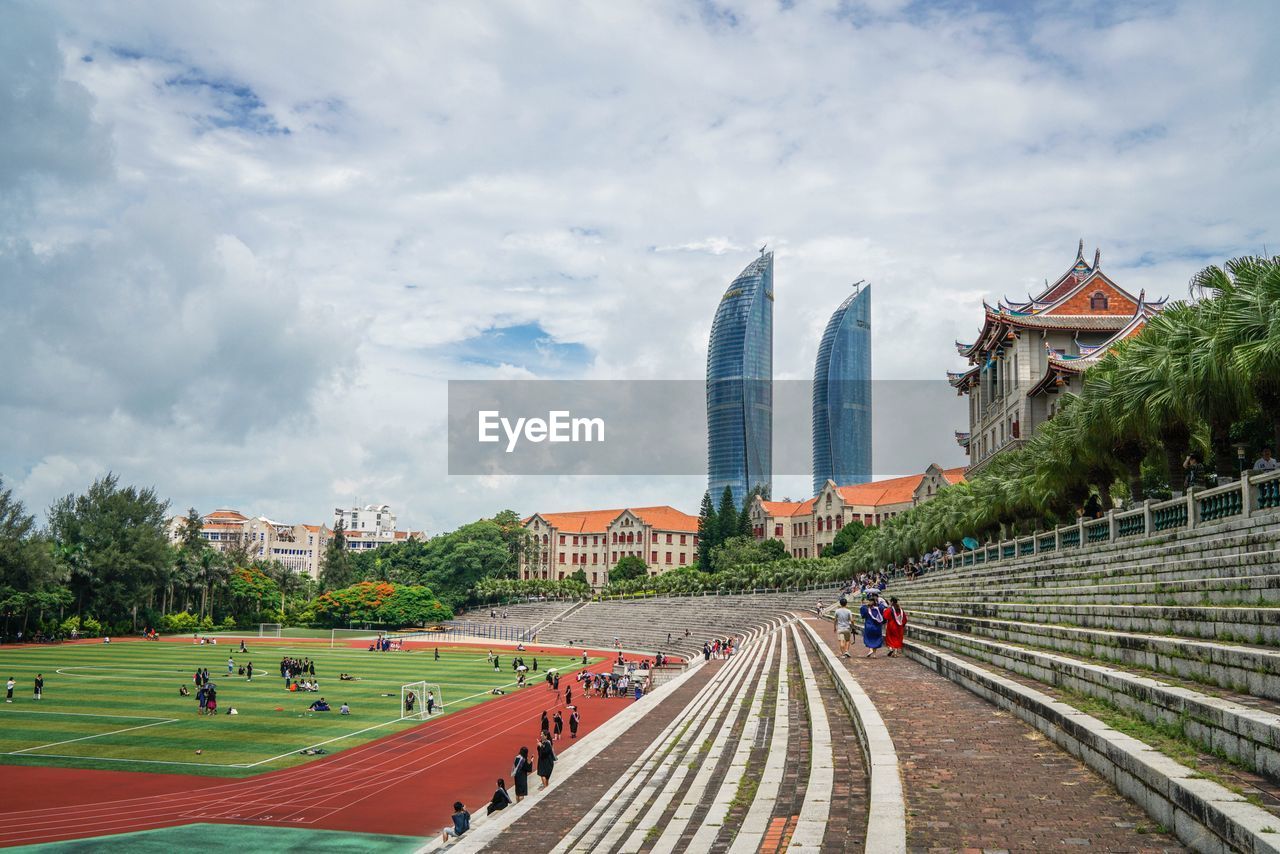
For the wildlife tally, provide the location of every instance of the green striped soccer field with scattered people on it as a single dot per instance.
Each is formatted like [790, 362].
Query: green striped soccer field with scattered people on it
[117, 706]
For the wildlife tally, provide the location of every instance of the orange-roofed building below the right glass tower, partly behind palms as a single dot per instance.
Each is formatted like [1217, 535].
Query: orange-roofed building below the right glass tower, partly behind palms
[807, 528]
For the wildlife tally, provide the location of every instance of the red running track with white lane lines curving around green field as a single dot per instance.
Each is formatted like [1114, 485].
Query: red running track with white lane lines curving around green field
[401, 784]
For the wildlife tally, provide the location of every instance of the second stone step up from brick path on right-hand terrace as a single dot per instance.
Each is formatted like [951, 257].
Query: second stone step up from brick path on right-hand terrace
[1247, 734]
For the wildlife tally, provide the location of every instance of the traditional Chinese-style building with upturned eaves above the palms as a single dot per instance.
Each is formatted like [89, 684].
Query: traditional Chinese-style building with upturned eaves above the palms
[1031, 351]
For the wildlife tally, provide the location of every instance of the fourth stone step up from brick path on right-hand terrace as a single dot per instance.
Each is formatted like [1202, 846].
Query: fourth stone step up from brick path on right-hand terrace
[1250, 625]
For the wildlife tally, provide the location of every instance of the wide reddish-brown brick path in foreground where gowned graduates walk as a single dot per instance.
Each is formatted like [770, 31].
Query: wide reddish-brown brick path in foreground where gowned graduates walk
[979, 779]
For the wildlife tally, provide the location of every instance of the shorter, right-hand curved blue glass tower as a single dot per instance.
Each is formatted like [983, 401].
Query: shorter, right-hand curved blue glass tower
[843, 396]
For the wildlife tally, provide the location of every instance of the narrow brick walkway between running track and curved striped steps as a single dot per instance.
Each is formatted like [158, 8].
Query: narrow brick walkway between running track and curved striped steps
[548, 820]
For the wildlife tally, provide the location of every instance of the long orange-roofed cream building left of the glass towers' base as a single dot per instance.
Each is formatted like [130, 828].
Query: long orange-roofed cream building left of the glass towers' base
[595, 541]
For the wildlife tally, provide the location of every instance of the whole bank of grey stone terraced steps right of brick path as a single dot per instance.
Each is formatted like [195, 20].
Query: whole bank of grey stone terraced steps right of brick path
[1158, 663]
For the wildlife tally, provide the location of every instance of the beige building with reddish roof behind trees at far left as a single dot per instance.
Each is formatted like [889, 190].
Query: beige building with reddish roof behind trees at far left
[299, 547]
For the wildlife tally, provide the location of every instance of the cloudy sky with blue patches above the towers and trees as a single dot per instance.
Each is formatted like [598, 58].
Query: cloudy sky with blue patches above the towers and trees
[244, 246]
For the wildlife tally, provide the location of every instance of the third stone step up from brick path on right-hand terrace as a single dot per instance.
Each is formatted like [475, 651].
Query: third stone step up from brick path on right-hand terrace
[1238, 668]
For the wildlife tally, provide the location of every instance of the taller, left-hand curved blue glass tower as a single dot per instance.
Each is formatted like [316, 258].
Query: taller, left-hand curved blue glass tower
[739, 385]
